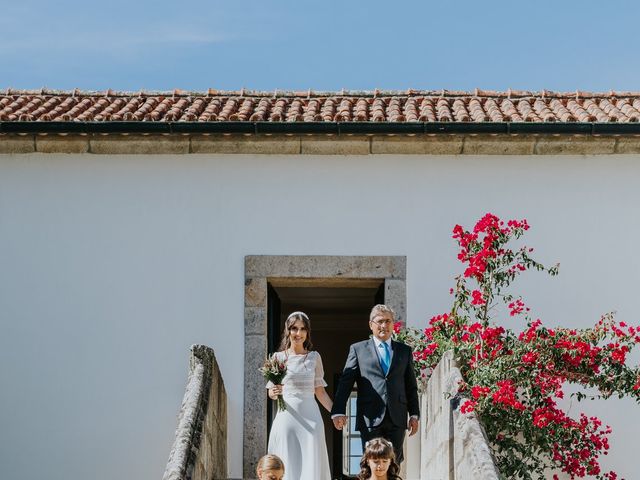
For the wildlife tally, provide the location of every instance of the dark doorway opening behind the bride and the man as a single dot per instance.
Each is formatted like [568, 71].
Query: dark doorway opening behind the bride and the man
[339, 313]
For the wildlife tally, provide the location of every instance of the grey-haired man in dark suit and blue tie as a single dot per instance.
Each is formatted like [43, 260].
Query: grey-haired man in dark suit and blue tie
[387, 403]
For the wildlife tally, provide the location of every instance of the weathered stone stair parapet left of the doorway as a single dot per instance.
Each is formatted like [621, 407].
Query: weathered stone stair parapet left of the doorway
[199, 450]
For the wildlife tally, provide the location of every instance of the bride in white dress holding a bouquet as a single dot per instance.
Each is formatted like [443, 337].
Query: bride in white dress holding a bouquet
[297, 433]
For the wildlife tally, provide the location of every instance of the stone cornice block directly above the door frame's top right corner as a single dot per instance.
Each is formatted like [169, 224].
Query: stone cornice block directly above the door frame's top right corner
[417, 145]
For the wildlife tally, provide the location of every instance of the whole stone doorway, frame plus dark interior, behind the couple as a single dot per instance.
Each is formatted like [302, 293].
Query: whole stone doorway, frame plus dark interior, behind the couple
[348, 284]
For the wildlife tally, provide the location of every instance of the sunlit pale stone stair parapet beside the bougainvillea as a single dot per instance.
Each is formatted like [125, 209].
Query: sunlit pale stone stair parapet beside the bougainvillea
[453, 445]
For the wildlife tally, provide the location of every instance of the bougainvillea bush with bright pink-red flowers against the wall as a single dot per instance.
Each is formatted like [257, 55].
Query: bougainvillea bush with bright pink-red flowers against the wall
[515, 376]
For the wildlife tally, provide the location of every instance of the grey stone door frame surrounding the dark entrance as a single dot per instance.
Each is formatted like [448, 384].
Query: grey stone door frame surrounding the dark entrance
[311, 270]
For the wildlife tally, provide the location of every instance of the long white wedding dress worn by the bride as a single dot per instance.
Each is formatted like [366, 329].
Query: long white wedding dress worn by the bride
[297, 433]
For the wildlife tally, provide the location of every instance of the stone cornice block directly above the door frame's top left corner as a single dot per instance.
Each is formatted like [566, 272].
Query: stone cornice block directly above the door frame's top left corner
[245, 144]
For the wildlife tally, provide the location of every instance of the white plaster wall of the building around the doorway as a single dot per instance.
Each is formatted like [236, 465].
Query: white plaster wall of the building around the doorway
[112, 266]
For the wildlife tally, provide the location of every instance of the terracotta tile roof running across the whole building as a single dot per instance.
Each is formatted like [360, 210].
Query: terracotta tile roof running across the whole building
[411, 106]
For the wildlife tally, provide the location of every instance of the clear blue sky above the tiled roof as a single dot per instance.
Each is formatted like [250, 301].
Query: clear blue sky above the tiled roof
[329, 45]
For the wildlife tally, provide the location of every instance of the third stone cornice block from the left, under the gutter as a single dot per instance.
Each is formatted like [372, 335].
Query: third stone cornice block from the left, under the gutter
[139, 144]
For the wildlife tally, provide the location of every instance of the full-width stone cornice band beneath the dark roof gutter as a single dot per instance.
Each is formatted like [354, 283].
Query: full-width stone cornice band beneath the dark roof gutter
[425, 144]
